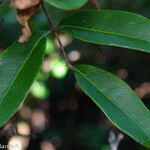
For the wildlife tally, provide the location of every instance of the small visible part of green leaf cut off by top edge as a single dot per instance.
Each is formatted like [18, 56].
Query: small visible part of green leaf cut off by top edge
[67, 4]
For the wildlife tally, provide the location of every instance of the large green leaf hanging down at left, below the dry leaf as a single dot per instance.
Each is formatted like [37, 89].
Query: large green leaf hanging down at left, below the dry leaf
[19, 65]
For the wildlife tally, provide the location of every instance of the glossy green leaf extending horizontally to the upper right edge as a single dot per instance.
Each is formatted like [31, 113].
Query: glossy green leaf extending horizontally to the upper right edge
[108, 27]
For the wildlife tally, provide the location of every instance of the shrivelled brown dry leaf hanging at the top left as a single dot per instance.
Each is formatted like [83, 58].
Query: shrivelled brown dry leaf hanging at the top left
[25, 10]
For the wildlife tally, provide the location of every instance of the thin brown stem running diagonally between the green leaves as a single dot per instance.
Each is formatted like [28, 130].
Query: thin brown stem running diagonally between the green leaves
[54, 30]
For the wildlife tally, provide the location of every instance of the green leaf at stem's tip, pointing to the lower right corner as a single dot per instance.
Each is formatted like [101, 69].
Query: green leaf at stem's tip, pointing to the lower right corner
[116, 99]
